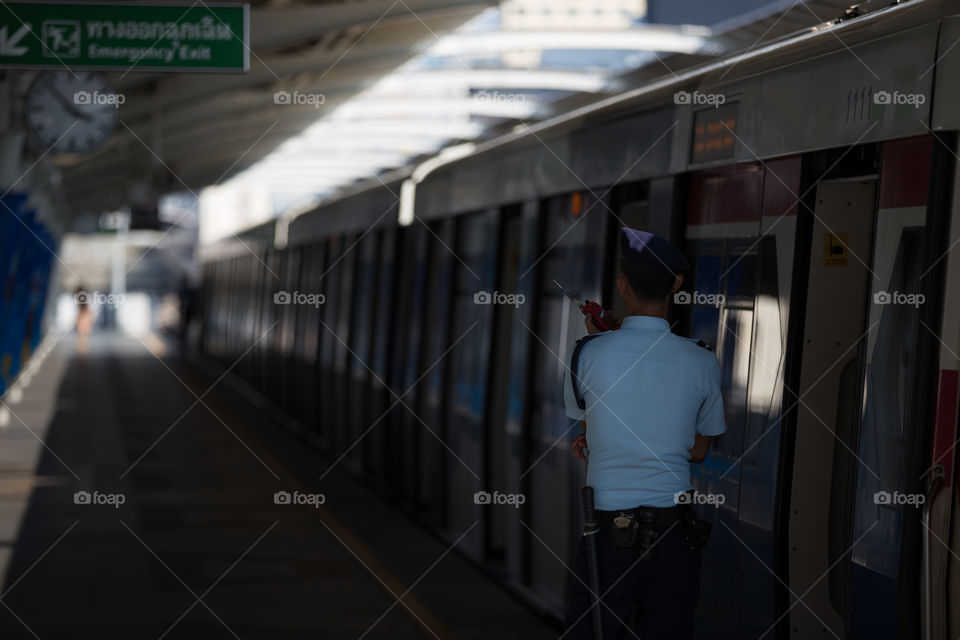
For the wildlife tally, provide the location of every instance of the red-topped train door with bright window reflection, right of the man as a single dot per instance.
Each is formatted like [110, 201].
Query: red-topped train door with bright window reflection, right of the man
[741, 228]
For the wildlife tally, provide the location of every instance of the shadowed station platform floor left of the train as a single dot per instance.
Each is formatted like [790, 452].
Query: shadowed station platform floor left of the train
[138, 500]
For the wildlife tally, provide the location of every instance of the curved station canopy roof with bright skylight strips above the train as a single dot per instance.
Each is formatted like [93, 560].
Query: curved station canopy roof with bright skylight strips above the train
[343, 92]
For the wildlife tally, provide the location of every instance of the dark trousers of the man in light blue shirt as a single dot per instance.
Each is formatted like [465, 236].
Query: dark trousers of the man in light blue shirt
[663, 589]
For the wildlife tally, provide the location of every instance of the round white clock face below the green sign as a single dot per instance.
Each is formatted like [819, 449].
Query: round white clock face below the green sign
[72, 112]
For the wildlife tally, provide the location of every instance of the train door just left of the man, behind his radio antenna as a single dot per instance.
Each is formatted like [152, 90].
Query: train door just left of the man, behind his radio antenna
[573, 244]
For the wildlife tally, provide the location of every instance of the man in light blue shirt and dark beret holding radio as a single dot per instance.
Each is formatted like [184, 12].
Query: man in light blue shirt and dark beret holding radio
[649, 403]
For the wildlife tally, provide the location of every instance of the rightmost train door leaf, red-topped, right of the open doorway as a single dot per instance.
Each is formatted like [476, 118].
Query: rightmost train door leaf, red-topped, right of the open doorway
[894, 469]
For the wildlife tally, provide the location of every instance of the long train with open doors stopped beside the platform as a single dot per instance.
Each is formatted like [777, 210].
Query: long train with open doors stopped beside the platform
[812, 183]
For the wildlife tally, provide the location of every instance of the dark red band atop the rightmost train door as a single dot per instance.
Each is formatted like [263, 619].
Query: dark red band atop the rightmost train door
[905, 172]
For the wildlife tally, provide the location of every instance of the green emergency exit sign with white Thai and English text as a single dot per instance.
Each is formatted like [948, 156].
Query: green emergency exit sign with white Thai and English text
[116, 36]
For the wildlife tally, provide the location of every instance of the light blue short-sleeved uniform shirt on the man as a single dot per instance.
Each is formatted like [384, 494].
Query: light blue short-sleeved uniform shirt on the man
[647, 392]
